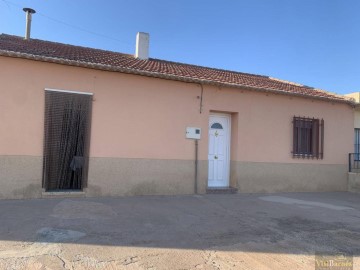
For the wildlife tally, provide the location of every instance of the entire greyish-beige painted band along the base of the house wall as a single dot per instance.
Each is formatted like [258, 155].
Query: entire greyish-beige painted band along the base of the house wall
[20, 177]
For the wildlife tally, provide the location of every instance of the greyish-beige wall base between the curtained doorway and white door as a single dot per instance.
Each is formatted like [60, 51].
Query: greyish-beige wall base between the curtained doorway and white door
[126, 177]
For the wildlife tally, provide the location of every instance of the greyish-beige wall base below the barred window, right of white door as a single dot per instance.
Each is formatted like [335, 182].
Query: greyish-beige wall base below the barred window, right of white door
[257, 177]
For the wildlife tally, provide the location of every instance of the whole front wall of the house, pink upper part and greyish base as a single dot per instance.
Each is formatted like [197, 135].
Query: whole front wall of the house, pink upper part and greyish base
[138, 143]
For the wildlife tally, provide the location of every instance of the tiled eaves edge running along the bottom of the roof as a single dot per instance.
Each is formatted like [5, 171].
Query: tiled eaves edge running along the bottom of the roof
[165, 76]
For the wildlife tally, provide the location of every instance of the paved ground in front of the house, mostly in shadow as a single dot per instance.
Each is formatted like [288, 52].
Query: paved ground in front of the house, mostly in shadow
[239, 231]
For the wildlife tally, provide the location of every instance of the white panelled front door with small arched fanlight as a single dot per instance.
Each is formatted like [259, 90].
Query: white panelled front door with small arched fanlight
[219, 150]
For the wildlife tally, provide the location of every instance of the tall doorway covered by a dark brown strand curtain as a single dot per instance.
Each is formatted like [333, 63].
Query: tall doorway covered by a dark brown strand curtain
[66, 140]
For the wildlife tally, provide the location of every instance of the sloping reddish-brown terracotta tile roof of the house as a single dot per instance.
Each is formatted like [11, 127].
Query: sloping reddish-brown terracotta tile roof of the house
[95, 58]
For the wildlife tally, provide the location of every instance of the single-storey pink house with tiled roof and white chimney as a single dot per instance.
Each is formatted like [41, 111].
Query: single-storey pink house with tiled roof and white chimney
[102, 123]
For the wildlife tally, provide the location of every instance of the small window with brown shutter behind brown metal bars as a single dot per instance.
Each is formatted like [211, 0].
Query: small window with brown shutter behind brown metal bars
[308, 137]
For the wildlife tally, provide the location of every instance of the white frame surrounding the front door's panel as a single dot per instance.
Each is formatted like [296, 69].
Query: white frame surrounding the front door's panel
[228, 145]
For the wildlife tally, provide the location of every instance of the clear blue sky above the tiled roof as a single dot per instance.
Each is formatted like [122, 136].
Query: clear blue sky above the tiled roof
[313, 42]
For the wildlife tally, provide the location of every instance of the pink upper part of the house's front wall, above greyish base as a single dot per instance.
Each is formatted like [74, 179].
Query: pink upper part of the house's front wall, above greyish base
[141, 117]
